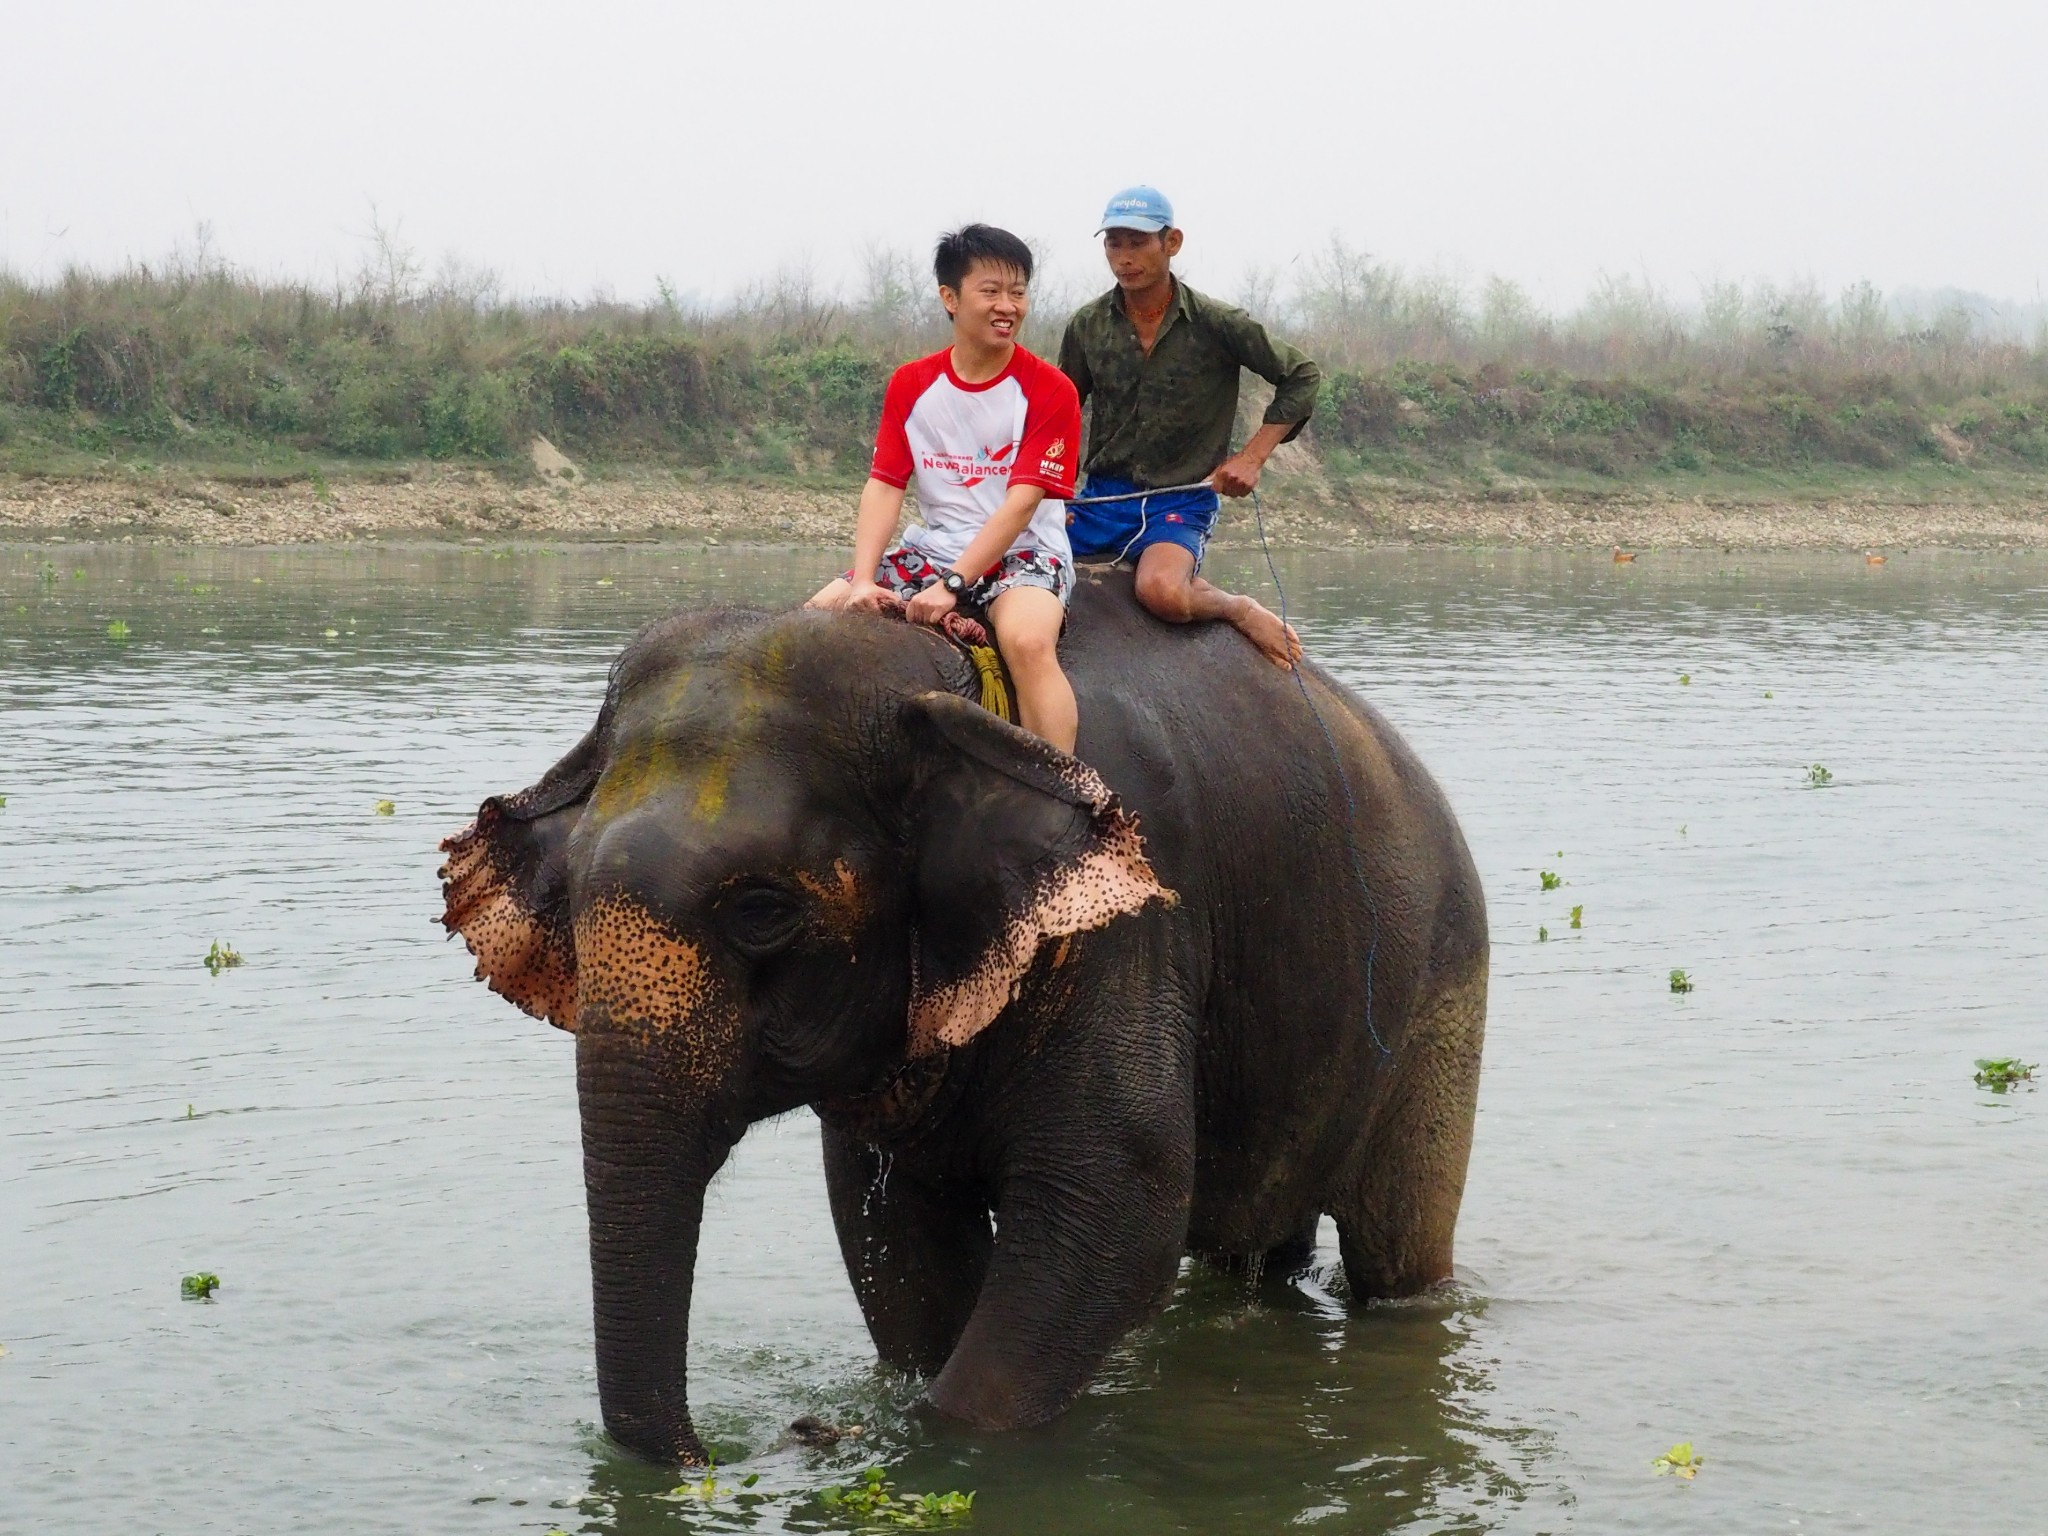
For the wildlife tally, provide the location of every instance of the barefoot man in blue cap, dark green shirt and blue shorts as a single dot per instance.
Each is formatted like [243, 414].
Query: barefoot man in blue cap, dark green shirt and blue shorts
[1158, 368]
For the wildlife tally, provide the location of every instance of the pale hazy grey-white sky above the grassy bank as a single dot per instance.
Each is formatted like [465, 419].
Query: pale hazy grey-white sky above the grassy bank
[595, 146]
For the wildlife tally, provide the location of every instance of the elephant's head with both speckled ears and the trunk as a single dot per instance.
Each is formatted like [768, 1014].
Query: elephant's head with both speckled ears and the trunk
[781, 865]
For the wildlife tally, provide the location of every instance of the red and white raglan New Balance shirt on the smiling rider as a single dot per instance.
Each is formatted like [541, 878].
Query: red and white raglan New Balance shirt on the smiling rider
[970, 443]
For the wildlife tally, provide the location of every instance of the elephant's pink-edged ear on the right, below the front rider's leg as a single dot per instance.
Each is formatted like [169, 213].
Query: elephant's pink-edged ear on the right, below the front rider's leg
[1017, 845]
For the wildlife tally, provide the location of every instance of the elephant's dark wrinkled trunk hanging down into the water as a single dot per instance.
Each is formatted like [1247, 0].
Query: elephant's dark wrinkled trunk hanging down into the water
[648, 1156]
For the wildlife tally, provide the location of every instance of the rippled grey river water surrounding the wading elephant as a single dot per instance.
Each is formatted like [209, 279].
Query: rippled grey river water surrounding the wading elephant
[1773, 1218]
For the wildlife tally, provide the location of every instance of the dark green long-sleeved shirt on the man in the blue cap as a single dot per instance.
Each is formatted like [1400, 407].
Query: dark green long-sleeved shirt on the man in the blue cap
[1166, 419]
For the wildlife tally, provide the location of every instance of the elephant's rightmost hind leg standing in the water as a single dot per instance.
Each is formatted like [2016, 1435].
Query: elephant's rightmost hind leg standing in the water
[1400, 1211]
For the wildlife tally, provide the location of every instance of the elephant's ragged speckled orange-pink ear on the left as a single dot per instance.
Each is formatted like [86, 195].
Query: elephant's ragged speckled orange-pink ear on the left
[507, 886]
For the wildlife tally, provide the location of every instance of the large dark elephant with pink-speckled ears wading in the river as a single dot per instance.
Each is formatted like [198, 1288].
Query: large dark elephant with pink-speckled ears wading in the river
[1064, 1019]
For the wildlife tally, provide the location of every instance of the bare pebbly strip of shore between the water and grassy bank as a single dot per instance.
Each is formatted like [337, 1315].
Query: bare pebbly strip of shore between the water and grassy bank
[1302, 511]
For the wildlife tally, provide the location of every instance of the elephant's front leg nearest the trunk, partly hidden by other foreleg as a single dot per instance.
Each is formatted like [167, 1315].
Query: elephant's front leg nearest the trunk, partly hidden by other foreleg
[916, 1258]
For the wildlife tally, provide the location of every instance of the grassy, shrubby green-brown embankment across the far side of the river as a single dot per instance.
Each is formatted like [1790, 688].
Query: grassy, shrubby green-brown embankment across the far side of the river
[210, 374]
